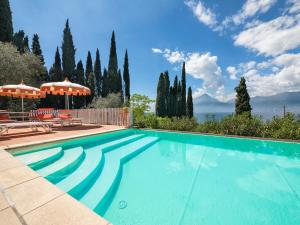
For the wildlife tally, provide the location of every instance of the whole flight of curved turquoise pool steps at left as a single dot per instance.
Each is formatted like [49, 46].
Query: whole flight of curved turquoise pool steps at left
[89, 173]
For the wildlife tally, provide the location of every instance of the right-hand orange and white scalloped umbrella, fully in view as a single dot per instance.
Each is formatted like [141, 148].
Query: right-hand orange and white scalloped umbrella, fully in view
[66, 88]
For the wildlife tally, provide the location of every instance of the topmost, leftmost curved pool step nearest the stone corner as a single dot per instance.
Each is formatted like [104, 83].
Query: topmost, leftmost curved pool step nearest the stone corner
[37, 160]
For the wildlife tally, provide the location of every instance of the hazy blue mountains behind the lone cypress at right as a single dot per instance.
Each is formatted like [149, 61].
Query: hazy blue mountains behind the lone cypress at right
[264, 105]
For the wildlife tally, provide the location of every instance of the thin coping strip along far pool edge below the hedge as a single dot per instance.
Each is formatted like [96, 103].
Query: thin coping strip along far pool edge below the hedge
[223, 135]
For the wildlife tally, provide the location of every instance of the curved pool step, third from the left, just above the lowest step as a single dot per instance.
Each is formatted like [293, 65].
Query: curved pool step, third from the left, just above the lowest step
[80, 180]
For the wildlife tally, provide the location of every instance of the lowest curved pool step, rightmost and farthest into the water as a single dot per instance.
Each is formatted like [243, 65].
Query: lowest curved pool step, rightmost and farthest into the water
[98, 195]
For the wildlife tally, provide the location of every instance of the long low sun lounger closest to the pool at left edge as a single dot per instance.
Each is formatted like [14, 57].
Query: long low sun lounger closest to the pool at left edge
[47, 126]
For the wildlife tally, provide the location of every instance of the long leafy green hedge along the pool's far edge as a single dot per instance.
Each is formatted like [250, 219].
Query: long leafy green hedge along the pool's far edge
[287, 127]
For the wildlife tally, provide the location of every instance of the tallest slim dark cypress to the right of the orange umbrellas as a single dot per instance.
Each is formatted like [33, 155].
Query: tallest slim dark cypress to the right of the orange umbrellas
[113, 67]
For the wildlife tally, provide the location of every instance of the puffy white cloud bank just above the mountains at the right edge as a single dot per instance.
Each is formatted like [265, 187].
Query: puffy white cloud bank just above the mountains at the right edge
[277, 75]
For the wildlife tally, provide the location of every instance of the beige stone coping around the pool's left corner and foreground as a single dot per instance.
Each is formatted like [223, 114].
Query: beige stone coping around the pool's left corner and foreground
[55, 208]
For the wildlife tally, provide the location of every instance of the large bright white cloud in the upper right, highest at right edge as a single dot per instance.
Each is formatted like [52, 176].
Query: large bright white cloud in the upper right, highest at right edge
[272, 38]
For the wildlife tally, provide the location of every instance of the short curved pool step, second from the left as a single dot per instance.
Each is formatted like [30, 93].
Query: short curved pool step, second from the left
[56, 171]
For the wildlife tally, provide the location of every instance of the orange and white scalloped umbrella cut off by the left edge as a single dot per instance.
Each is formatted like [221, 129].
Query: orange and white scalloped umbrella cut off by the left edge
[20, 91]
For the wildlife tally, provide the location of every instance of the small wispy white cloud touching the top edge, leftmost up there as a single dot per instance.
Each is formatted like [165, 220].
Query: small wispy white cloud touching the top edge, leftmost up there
[204, 15]
